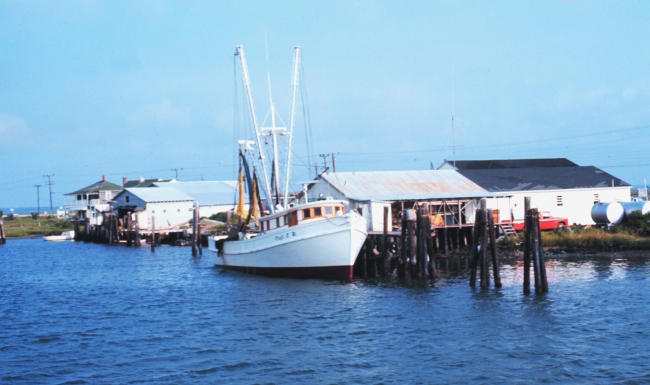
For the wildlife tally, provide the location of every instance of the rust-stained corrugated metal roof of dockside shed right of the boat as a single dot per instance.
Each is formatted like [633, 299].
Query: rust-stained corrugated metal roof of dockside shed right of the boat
[405, 185]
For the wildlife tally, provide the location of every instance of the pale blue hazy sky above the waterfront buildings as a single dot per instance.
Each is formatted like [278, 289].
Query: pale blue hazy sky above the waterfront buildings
[139, 88]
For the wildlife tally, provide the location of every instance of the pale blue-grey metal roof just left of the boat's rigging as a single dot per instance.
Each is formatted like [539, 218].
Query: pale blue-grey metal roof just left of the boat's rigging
[208, 192]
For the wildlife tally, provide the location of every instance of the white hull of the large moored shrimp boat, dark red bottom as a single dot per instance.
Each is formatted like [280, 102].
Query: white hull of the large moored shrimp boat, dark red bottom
[323, 248]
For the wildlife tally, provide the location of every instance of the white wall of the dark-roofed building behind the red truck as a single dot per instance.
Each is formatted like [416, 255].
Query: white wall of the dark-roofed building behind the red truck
[576, 203]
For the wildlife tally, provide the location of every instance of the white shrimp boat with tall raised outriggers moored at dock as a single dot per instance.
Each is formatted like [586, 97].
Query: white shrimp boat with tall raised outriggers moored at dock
[316, 239]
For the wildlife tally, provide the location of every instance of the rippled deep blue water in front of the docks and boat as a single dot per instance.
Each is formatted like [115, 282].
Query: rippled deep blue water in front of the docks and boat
[91, 314]
